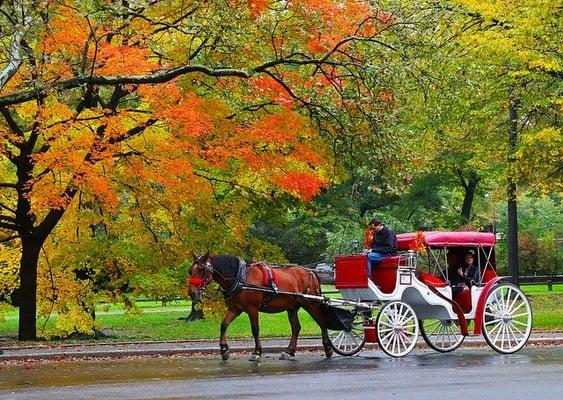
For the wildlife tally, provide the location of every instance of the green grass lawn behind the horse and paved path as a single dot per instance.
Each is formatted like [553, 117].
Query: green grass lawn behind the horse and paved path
[157, 321]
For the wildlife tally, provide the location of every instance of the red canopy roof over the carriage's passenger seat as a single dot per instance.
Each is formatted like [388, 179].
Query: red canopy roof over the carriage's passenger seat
[414, 241]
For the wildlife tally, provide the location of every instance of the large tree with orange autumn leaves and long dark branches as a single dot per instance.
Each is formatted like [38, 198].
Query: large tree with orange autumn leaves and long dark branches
[103, 103]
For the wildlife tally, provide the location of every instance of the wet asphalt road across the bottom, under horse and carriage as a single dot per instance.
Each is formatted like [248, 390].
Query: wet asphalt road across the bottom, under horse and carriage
[532, 373]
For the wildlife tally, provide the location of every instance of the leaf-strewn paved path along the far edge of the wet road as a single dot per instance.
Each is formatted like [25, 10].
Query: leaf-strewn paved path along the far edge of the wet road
[207, 347]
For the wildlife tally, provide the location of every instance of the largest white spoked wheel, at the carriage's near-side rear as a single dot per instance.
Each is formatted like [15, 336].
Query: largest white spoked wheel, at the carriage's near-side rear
[507, 319]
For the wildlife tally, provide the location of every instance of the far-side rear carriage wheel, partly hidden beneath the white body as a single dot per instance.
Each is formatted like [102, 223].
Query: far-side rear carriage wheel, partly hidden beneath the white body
[443, 335]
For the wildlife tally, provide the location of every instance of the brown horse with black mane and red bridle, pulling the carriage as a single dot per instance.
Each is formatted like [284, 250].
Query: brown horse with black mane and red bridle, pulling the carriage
[235, 277]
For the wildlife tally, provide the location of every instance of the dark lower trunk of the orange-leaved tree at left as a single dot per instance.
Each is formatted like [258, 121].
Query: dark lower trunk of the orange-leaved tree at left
[28, 289]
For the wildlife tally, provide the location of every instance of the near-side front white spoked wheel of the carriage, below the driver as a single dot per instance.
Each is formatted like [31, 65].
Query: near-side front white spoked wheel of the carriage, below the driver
[397, 329]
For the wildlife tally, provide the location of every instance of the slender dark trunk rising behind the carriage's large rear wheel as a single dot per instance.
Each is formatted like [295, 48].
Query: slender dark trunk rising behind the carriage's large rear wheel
[511, 193]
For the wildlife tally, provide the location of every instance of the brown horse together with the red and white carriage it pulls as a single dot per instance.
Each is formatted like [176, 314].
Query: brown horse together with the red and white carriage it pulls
[407, 295]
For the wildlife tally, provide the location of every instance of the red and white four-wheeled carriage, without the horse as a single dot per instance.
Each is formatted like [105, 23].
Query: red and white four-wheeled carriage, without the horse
[409, 295]
